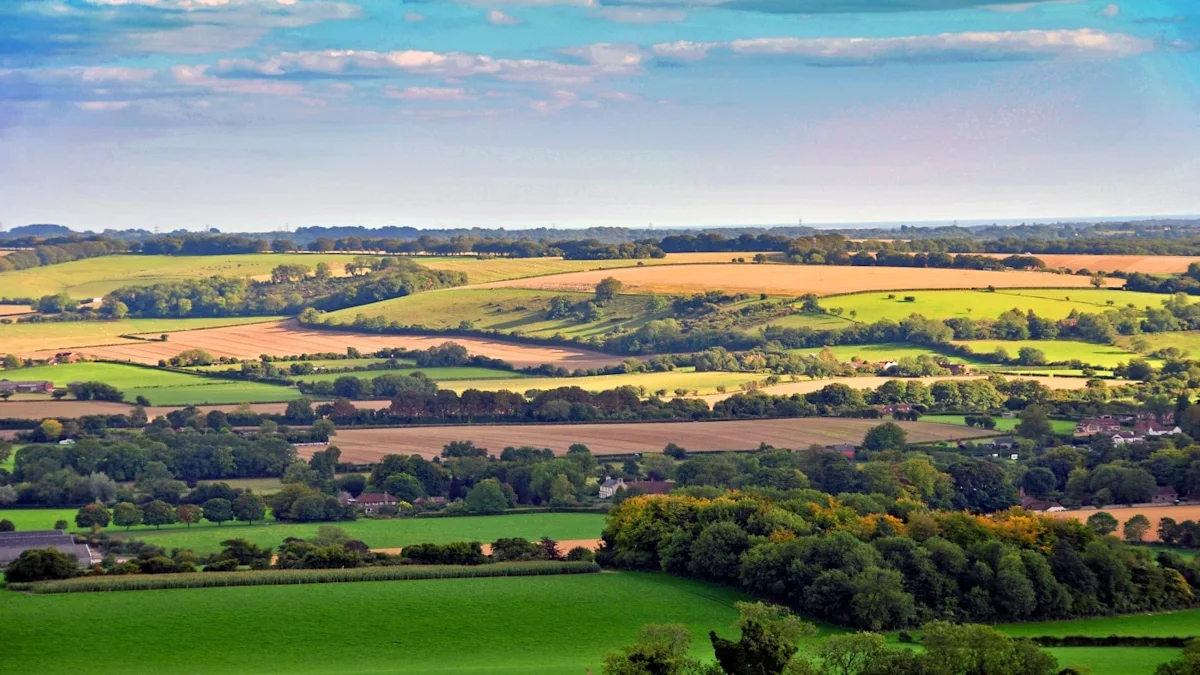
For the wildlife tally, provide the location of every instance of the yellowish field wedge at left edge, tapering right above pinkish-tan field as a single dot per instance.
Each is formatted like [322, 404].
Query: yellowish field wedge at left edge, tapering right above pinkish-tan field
[22, 338]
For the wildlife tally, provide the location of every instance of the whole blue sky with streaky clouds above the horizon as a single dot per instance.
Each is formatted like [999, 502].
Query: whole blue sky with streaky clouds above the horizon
[266, 115]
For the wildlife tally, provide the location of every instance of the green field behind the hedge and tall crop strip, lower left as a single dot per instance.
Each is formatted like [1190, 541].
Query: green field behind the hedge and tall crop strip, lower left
[207, 537]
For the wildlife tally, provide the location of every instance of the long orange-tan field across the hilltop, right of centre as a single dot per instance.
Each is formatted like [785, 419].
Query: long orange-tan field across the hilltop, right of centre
[795, 280]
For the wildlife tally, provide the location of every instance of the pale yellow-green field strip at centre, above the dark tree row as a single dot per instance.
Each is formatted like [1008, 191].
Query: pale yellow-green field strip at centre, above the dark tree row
[682, 379]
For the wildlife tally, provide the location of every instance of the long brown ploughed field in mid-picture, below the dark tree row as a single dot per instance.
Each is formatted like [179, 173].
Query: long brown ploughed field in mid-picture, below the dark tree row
[368, 446]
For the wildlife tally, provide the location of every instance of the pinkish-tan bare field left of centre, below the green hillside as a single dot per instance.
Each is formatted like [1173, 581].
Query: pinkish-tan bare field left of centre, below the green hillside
[289, 338]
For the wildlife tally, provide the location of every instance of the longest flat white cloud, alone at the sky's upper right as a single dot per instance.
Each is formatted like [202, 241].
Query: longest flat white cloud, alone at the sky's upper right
[922, 49]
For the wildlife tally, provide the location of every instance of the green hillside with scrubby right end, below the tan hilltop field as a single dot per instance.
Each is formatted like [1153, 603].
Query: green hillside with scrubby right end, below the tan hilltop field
[508, 310]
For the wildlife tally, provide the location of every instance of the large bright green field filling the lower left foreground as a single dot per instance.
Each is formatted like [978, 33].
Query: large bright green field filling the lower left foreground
[501, 625]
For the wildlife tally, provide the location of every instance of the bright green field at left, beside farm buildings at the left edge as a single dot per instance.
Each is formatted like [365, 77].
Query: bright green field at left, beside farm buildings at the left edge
[163, 387]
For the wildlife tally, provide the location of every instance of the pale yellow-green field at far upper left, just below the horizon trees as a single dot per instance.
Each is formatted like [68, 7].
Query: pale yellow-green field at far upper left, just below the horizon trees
[94, 278]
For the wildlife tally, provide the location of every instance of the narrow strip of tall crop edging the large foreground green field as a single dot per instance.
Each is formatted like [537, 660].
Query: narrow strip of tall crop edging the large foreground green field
[281, 577]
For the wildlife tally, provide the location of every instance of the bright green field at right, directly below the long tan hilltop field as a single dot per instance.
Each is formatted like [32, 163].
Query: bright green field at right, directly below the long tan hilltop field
[1051, 303]
